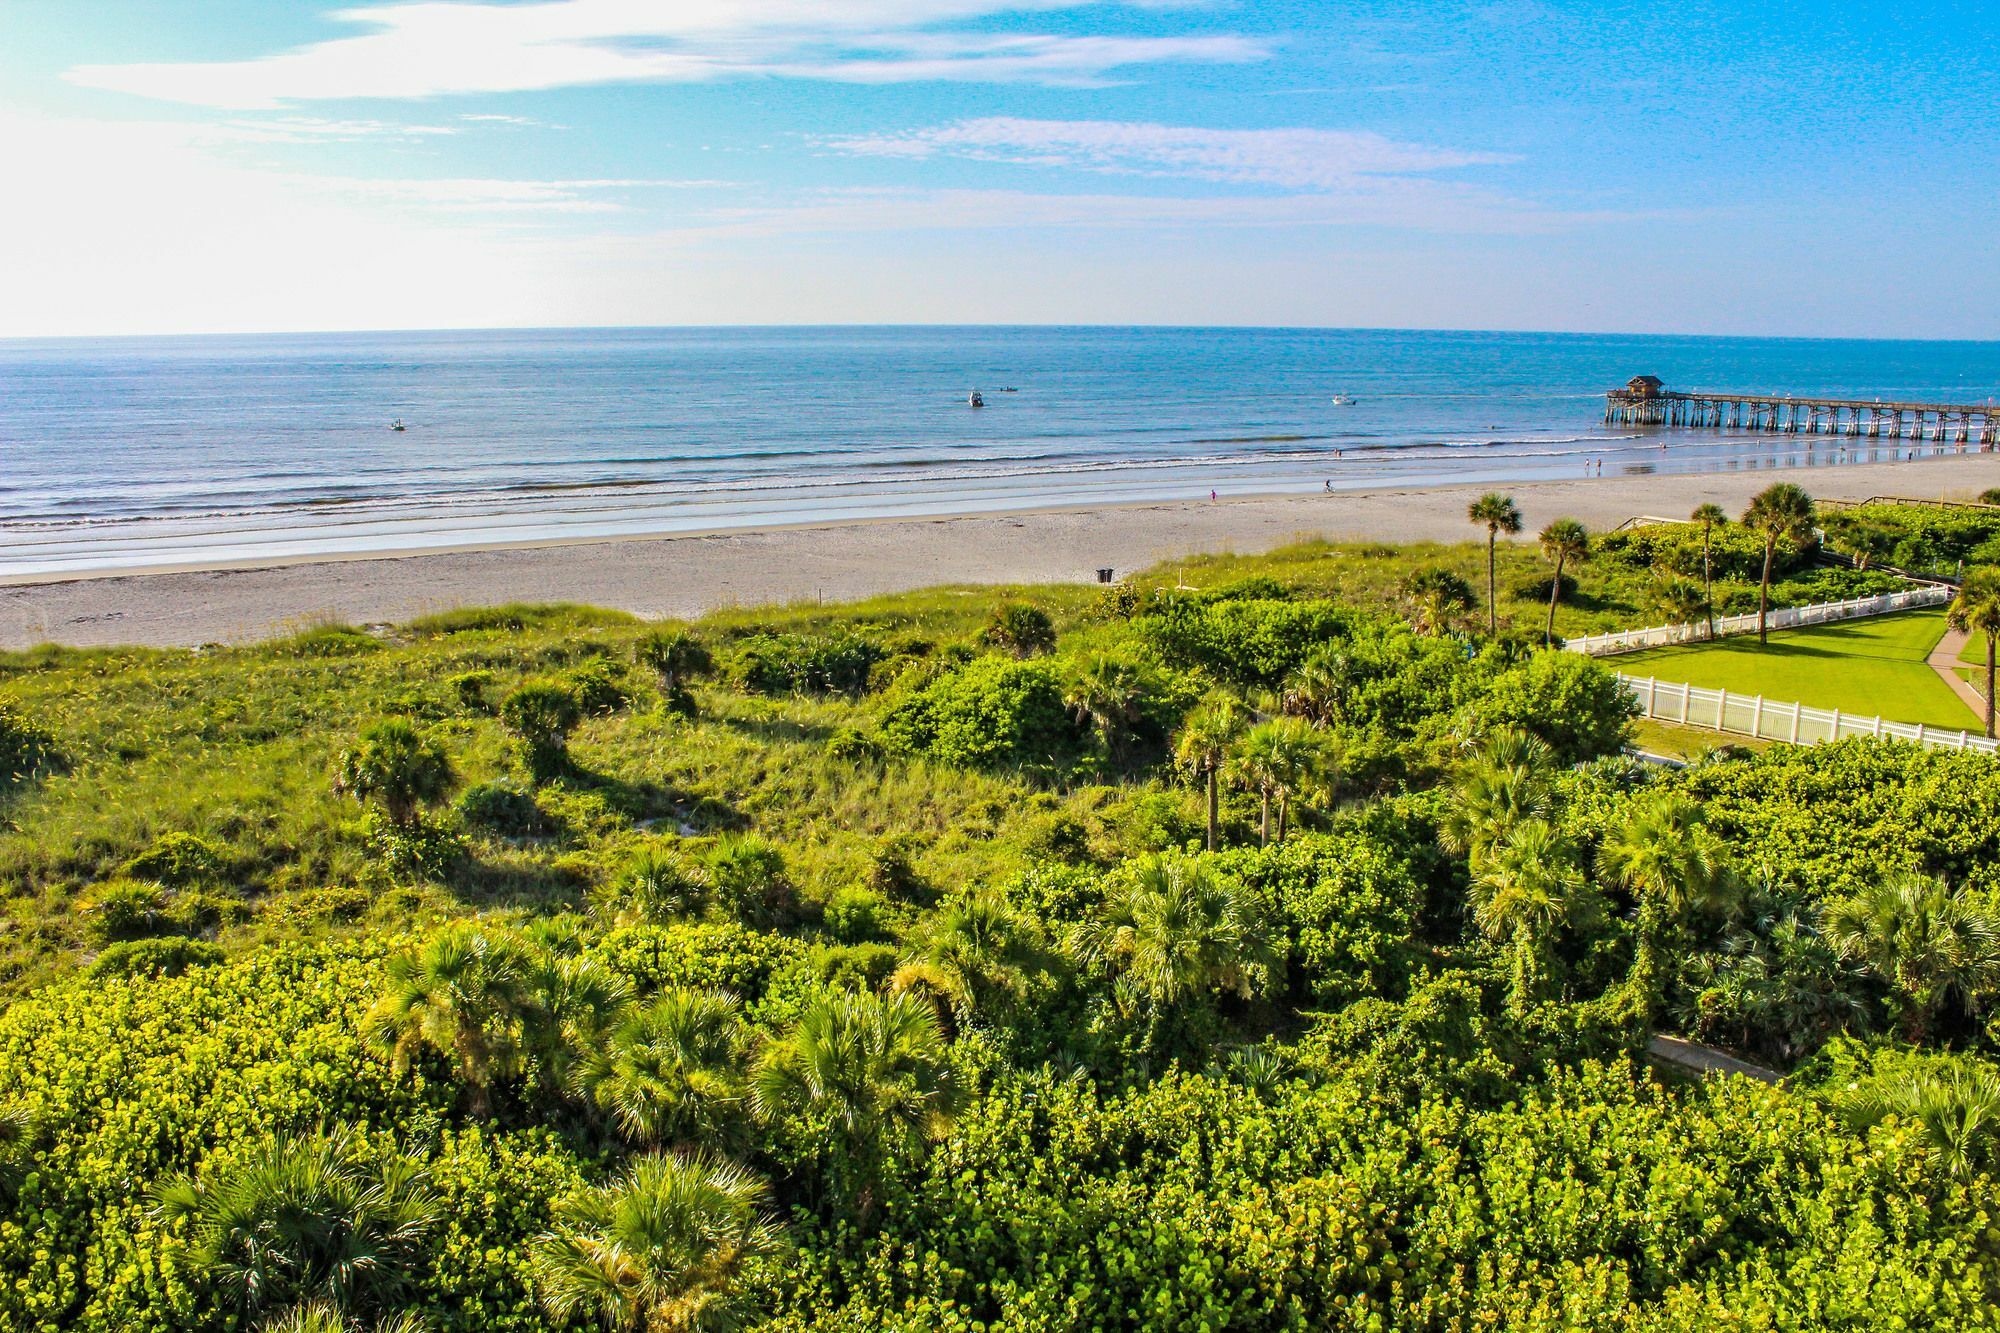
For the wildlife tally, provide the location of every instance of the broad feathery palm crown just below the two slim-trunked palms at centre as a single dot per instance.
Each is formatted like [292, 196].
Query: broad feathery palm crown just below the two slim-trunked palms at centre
[1173, 932]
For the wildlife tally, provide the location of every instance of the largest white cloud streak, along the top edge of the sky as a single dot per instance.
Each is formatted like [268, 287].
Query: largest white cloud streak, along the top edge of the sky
[439, 47]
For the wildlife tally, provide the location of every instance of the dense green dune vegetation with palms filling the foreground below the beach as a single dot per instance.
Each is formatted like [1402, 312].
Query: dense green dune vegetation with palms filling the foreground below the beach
[1243, 956]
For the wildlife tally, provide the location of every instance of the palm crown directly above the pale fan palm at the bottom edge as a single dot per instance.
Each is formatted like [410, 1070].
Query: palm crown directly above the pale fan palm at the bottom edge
[673, 1072]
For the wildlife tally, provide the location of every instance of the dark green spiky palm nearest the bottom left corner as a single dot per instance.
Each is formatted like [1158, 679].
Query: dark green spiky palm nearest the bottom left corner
[307, 1220]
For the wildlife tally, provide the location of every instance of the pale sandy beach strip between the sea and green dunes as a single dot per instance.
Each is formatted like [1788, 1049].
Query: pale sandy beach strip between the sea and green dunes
[691, 573]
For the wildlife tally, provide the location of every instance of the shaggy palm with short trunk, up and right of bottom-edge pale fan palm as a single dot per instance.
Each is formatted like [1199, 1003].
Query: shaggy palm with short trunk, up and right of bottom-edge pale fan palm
[871, 1074]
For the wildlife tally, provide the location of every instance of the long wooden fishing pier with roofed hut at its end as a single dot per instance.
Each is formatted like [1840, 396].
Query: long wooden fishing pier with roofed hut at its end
[1647, 403]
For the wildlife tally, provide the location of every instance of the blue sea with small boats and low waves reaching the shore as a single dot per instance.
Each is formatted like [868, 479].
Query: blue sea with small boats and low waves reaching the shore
[161, 451]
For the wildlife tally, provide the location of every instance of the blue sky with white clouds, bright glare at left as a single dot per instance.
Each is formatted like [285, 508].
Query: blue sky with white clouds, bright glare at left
[245, 165]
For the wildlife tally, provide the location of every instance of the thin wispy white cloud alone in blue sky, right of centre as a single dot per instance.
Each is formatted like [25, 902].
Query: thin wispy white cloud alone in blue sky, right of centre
[1287, 157]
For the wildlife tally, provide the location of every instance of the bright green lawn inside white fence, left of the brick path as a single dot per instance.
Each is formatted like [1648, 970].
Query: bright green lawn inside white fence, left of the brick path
[1865, 668]
